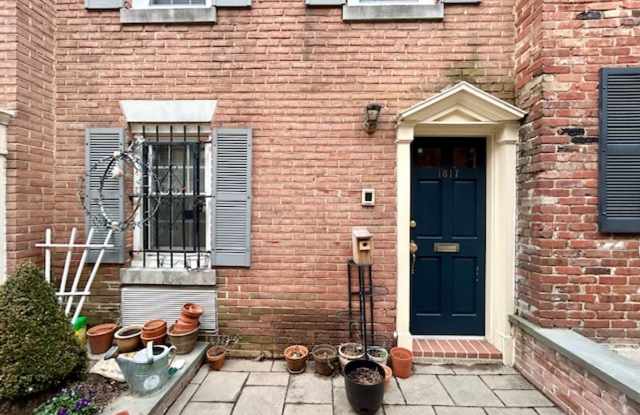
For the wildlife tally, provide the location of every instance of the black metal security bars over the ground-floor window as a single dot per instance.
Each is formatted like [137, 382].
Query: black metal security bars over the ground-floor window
[174, 235]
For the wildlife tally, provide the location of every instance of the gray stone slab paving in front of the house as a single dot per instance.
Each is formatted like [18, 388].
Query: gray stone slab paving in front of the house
[246, 387]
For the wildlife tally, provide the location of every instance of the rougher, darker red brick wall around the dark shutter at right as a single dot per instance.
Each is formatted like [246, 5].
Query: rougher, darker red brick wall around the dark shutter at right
[569, 274]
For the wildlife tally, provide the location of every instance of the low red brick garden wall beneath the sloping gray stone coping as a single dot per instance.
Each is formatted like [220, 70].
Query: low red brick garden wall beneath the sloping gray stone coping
[570, 386]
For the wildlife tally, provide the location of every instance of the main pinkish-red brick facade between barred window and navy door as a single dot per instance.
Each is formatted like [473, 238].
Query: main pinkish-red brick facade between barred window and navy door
[301, 78]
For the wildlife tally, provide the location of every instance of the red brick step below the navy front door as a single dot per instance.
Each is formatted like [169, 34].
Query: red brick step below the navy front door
[455, 349]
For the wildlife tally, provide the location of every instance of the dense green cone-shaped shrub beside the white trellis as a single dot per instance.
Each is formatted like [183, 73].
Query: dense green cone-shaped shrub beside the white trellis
[37, 347]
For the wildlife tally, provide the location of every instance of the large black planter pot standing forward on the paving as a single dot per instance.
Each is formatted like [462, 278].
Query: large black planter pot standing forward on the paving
[364, 393]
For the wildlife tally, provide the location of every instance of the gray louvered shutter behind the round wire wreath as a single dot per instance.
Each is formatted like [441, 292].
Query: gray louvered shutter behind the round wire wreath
[99, 144]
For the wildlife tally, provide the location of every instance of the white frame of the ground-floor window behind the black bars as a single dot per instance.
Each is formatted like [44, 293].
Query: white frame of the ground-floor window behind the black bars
[178, 259]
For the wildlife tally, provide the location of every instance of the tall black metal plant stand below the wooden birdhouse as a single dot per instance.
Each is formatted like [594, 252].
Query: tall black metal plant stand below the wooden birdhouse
[364, 293]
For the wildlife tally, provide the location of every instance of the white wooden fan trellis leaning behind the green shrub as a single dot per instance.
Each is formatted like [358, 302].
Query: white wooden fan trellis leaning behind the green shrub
[69, 295]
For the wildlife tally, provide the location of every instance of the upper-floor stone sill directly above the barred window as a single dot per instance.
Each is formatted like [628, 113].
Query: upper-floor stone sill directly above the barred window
[163, 16]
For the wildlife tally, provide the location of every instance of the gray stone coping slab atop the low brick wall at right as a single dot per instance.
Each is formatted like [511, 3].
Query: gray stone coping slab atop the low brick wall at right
[597, 359]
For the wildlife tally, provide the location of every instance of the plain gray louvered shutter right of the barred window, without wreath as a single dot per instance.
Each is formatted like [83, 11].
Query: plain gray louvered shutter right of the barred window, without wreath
[231, 230]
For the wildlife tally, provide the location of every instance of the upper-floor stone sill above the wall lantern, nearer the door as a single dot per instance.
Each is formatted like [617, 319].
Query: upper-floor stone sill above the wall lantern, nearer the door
[393, 12]
